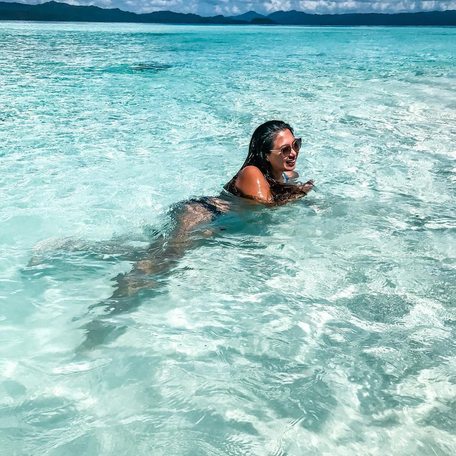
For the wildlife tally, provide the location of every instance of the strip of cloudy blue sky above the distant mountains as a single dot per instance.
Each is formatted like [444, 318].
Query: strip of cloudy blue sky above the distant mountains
[234, 7]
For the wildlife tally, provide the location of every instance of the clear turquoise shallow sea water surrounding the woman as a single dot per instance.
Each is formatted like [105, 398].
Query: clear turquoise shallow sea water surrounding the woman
[325, 326]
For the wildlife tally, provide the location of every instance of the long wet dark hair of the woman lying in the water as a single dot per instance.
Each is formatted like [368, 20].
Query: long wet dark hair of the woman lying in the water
[260, 146]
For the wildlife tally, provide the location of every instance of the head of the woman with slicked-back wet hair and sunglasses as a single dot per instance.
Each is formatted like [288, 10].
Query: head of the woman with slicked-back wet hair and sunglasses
[266, 148]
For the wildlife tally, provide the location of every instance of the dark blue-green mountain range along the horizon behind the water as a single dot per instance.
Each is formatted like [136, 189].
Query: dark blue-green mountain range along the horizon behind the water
[54, 11]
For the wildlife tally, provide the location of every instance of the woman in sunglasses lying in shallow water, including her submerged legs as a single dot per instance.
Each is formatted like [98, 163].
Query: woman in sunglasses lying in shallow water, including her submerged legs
[265, 177]
